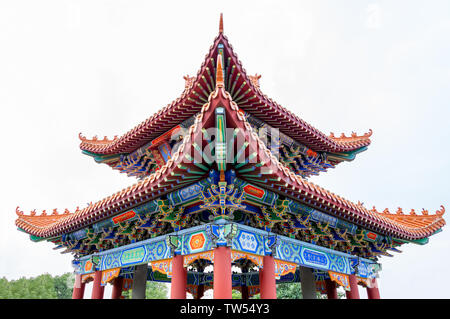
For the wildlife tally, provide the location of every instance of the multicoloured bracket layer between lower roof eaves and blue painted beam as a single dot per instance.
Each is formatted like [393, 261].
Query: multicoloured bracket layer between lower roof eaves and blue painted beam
[243, 203]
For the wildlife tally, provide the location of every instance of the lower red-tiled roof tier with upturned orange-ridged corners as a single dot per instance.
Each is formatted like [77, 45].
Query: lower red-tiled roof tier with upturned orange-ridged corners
[267, 171]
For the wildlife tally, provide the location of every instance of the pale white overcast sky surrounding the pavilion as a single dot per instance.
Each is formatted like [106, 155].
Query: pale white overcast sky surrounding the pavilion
[102, 67]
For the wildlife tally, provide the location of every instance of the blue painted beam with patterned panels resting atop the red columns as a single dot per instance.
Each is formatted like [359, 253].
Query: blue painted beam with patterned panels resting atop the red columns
[239, 238]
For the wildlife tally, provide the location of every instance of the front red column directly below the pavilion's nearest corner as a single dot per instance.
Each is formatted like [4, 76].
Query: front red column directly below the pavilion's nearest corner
[222, 273]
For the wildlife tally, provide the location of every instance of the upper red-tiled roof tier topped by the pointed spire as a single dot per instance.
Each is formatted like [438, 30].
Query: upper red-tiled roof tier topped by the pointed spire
[245, 91]
